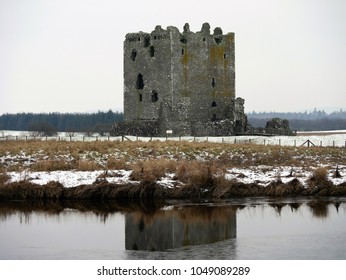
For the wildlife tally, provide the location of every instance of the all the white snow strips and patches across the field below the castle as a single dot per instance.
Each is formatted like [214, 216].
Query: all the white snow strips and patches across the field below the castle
[261, 174]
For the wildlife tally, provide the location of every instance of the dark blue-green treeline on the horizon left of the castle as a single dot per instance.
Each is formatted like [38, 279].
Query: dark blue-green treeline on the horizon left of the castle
[64, 122]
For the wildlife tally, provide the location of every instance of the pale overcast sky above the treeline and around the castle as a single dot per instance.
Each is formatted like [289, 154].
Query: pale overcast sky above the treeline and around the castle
[67, 55]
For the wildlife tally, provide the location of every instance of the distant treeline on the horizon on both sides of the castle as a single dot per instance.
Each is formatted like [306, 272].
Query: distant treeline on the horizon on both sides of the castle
[101, 122]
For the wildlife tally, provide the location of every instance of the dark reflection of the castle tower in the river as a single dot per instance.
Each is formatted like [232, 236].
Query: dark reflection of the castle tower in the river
[176, 227]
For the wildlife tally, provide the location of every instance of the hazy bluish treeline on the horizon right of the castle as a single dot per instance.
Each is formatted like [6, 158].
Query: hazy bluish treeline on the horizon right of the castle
[315, 120]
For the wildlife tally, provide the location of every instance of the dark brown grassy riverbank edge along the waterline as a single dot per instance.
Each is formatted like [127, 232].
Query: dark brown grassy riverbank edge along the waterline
[213, 189]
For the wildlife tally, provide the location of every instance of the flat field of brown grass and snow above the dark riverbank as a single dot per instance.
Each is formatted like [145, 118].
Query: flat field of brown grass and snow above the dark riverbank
[170, 165]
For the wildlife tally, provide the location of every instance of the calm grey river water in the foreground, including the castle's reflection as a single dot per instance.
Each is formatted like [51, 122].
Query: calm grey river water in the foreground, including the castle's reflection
[290, 229]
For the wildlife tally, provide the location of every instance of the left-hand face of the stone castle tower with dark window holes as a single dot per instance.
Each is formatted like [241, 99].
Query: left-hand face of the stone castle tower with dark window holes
[147, 74]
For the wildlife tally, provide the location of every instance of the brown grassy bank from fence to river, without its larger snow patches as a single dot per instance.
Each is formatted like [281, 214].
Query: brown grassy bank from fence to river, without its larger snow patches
[197, 169]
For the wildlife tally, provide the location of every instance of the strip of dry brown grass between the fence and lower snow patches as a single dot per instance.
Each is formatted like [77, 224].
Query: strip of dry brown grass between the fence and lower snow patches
[122, 154]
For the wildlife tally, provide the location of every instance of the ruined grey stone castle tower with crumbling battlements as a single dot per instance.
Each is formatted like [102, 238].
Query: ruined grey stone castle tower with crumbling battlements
[182, 84]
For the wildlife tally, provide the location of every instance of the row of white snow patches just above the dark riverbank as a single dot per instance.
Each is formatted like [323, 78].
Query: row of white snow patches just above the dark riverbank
[262, 175]
